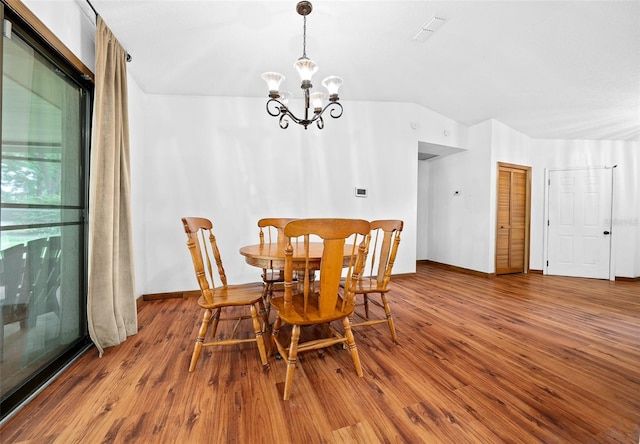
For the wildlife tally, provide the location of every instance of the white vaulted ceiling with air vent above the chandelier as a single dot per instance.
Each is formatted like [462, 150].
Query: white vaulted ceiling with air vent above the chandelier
[549, 69]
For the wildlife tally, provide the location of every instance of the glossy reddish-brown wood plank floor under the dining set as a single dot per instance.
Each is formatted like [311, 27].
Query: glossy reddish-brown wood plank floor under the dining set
[512, 359]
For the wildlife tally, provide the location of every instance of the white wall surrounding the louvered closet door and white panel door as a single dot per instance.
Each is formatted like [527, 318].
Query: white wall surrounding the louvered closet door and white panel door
[510, 146]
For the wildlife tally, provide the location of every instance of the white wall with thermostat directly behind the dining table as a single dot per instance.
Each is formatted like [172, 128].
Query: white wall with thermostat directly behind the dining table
[227, 159]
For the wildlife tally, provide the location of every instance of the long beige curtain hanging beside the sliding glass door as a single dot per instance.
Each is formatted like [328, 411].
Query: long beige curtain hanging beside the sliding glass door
[111, 307]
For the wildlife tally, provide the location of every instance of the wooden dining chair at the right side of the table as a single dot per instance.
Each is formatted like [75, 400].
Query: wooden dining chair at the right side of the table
[381, 254]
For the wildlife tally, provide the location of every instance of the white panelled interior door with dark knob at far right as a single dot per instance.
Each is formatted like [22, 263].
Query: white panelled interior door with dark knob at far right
[579, 223]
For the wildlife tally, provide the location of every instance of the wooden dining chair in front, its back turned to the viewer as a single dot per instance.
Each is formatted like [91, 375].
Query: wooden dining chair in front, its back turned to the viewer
[312, 301]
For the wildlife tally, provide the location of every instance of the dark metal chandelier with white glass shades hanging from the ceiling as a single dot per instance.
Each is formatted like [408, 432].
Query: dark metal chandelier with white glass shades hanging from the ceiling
[277, 105]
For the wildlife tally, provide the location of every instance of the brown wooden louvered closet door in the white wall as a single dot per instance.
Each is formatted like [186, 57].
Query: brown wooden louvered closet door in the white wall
[512, 232]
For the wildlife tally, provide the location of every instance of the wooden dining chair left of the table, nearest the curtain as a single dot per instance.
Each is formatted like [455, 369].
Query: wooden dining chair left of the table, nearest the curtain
[214, 300]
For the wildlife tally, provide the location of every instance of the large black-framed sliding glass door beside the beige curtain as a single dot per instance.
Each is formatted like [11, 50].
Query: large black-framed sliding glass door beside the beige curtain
[43, 203]
